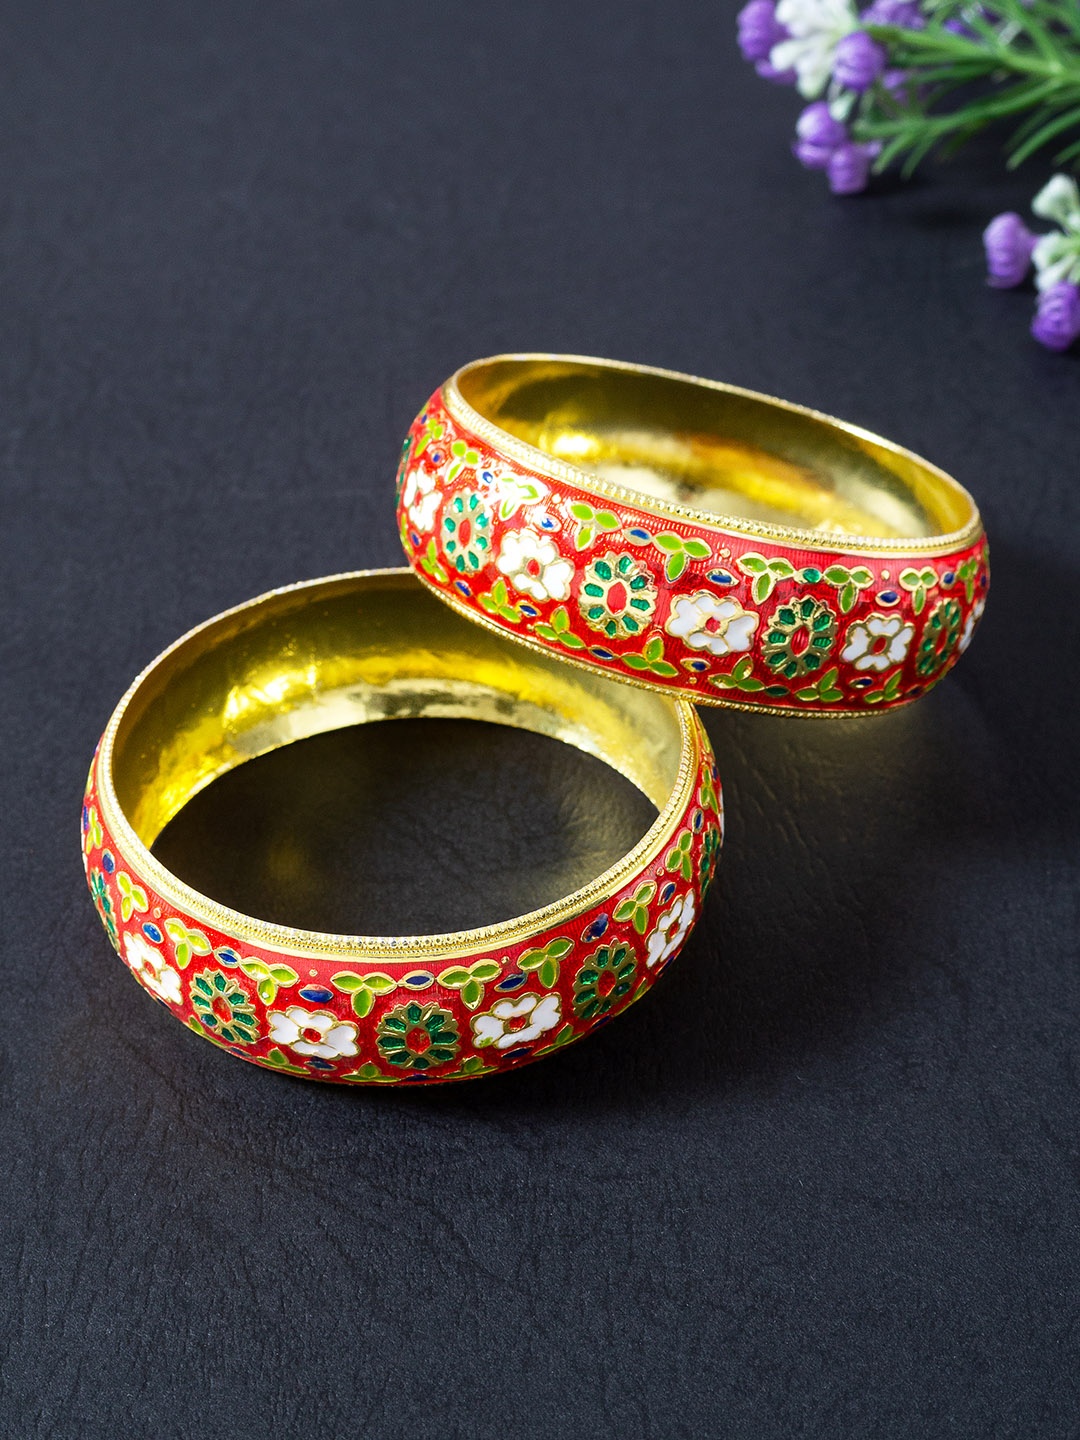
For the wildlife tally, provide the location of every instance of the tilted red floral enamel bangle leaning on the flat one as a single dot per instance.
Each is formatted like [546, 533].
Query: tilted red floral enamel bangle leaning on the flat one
[690, 536]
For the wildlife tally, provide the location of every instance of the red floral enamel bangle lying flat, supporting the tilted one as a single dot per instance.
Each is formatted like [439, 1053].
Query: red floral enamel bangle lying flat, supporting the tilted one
[354, 649]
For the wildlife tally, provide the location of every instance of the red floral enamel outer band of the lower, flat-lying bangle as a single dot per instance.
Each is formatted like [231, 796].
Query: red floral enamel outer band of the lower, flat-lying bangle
[417, 1022]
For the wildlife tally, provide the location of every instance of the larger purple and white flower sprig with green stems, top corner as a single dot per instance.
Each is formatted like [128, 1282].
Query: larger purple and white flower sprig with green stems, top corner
[904, 78]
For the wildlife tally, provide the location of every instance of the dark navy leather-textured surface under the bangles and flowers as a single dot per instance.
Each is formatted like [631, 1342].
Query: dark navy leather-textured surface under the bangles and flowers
[826, 1180]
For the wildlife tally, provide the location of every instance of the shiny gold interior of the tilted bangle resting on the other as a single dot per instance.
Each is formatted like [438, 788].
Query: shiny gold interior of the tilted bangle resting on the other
[715, 449]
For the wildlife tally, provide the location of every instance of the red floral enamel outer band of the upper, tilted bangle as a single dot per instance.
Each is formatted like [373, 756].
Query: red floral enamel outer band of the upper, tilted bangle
[719, 614]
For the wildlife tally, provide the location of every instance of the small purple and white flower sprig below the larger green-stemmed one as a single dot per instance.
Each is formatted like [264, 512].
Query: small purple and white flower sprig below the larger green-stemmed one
[1013, 251]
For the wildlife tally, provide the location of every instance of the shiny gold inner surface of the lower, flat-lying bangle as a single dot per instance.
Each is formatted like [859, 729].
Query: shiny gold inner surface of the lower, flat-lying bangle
[352, 650]
